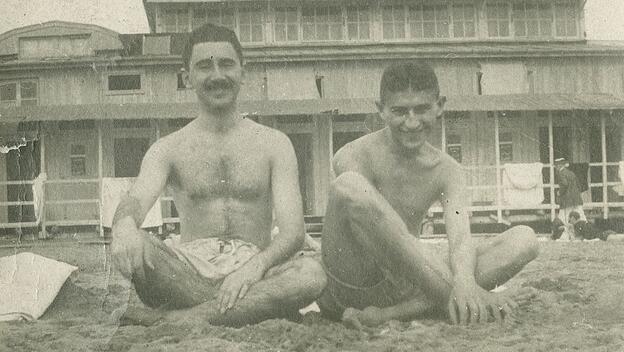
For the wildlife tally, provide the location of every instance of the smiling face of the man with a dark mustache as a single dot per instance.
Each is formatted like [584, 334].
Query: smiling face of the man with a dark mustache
[216, 73]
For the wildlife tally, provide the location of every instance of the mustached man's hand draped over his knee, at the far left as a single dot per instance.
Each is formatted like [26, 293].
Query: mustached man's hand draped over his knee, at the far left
[127, 250]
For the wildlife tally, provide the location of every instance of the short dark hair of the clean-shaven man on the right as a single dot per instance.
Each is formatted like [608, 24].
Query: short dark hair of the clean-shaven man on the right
[400, 77]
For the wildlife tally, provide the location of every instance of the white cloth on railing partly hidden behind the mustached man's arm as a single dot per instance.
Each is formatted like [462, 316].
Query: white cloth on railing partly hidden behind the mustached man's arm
[115, 188]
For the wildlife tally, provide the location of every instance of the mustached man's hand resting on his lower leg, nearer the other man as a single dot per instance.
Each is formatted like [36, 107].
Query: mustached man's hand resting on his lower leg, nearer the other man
[236, 285]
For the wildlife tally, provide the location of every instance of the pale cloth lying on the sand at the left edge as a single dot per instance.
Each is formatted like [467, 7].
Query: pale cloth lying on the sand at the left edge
[28, 285]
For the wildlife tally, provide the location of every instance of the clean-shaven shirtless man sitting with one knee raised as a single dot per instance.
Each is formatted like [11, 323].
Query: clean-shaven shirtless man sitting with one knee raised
[386, 181]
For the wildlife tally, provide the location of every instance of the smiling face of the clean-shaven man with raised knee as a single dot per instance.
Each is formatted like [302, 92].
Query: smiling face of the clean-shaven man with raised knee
[410, 116]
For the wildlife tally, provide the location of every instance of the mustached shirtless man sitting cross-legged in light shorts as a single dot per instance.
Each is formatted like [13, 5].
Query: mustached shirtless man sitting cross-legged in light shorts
[228, 174]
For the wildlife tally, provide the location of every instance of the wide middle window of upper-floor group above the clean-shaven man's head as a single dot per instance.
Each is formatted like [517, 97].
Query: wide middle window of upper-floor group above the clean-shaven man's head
[429, 21]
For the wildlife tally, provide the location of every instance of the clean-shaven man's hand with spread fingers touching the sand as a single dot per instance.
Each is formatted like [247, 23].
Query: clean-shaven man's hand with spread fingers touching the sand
[470, 303]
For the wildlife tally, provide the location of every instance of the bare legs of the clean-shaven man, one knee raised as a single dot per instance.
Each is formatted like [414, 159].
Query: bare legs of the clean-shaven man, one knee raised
[378, 271]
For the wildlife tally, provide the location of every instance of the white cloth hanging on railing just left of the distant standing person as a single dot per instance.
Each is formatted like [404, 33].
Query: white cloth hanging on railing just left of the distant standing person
[522, 184]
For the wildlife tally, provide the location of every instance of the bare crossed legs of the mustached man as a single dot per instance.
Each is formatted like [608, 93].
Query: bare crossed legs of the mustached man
[180, 293]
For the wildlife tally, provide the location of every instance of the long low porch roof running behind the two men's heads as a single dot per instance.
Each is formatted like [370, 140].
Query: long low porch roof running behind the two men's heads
[523, 102]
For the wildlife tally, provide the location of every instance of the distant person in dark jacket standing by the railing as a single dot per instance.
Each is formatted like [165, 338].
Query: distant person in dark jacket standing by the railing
[569, 191]
